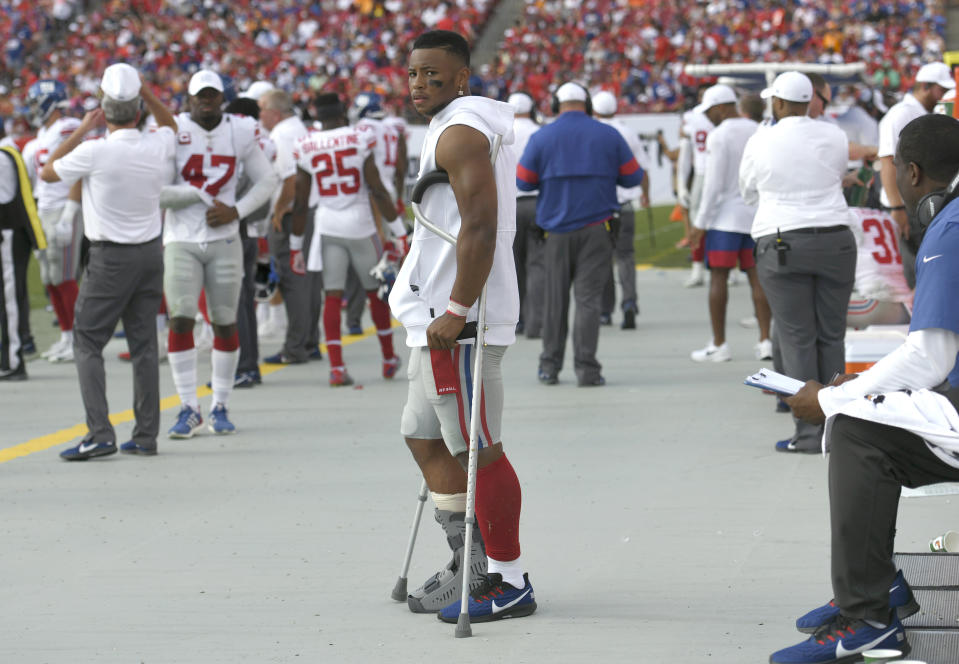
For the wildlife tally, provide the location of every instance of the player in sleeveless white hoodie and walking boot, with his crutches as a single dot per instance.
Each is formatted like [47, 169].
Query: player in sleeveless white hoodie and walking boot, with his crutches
[436, 296]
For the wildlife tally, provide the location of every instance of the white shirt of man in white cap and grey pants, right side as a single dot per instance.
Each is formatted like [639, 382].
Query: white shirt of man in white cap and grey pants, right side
[793, 170]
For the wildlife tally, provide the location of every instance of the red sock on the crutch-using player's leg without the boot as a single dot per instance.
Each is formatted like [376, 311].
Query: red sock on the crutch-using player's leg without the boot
[498, 503]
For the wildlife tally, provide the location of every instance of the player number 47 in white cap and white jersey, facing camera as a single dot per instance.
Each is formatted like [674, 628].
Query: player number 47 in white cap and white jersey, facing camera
[201, 238]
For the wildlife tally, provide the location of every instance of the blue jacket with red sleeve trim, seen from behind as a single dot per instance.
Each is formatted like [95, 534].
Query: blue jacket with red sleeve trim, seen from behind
[576, 163]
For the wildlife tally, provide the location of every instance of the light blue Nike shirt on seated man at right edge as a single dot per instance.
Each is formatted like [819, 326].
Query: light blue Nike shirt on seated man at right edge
[936, 303]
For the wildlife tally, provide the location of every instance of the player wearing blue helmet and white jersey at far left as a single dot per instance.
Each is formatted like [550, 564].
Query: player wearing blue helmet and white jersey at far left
[58, 213]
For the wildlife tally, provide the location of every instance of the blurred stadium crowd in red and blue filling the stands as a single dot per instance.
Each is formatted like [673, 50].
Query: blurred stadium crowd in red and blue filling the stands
[347, 46]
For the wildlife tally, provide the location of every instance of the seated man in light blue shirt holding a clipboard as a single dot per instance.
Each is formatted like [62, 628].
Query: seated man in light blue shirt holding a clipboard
[900, 434]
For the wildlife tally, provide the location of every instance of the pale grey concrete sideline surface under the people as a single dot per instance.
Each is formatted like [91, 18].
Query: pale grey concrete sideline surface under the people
[658, 523]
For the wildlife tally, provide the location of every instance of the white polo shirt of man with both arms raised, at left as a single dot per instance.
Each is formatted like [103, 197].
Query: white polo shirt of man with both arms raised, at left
[122, 177]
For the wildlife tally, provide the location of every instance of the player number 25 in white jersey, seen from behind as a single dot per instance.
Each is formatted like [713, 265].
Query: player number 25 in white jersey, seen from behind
[340, 160]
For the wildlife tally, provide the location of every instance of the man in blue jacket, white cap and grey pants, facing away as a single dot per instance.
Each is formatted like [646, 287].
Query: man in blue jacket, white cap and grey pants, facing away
[576, 163]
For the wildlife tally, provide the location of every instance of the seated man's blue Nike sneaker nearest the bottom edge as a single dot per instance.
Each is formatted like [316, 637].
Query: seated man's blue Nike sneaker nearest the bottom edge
[844, 640]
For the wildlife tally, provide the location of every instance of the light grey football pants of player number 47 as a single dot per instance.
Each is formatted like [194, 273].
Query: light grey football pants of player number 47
[217, 267]
